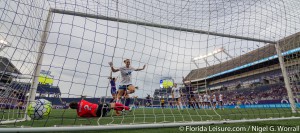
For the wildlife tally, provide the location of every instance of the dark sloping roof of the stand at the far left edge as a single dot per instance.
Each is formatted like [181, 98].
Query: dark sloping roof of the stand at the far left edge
[7, 68]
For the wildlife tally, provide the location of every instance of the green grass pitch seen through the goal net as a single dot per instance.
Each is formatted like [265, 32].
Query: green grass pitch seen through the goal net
[148, 115]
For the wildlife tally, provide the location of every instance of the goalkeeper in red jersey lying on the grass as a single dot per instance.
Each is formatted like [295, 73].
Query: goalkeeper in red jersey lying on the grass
[87, 109]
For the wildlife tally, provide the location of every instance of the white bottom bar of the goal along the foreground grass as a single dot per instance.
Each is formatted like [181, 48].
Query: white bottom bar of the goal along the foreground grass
[135, 126]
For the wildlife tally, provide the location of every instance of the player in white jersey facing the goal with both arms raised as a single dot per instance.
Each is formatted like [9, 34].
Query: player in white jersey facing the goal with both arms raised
[125, 86]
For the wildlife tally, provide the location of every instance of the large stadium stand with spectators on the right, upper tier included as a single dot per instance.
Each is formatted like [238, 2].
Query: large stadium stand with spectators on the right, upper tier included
[261, 83]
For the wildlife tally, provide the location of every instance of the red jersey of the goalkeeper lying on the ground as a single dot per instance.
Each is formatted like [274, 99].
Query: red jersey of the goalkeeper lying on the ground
[86, 109]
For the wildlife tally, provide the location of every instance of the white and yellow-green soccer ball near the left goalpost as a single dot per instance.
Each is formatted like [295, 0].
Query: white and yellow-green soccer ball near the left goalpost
[39, 109]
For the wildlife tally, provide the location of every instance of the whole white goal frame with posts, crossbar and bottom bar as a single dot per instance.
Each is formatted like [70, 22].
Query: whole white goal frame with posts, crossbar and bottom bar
[39, 61]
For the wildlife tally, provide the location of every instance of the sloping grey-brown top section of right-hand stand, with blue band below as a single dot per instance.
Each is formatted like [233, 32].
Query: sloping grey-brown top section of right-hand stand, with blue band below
[245, 60]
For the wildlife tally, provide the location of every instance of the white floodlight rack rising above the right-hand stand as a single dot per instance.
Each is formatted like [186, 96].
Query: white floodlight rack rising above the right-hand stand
[213, 53]
